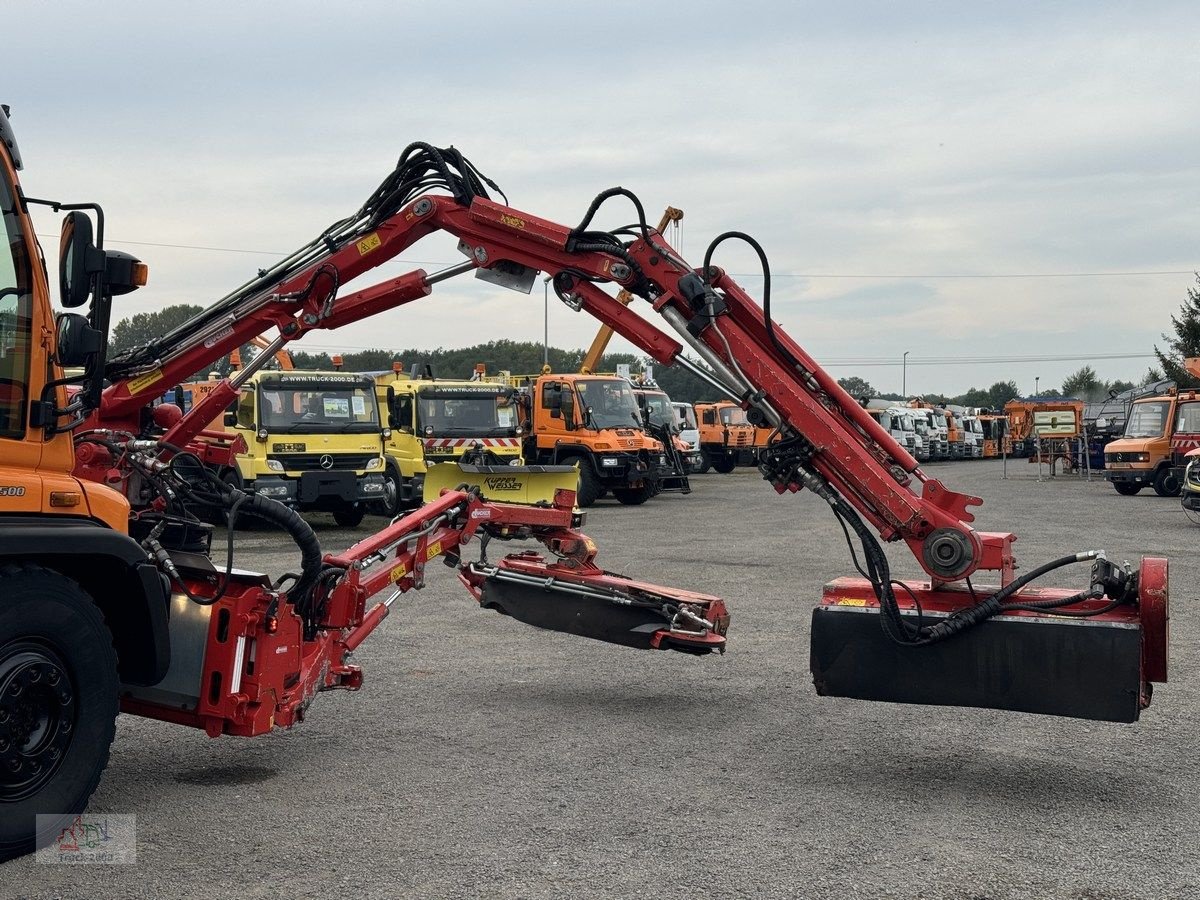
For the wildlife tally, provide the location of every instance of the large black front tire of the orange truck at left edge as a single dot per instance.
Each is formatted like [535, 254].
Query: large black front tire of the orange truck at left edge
[57, 655]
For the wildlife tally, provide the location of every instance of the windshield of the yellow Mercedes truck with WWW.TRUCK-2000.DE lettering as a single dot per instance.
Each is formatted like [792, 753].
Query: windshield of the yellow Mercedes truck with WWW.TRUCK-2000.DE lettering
[317, 406]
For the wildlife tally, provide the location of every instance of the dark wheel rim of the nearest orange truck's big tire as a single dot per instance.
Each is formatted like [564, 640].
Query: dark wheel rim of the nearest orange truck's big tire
[38, 716]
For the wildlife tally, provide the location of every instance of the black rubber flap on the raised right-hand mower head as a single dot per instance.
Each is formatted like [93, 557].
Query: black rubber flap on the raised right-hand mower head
[1078, 669]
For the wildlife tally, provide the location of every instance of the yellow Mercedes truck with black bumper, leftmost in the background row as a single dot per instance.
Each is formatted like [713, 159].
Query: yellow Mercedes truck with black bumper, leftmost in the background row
[314, 441]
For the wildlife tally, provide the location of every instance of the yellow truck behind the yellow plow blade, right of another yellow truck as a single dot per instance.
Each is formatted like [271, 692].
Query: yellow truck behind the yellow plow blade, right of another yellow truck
[435, 422]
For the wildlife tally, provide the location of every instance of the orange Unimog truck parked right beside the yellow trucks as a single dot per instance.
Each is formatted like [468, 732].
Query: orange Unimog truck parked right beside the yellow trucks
[593, 423]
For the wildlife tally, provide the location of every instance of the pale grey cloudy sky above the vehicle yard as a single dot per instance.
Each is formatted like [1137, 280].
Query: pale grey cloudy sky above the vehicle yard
[855, 140]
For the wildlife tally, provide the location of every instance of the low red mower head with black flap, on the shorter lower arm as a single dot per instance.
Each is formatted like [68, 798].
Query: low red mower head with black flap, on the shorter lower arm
[603, 607]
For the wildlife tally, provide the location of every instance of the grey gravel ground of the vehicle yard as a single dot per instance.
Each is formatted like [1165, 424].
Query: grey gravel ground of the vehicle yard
[487, 759]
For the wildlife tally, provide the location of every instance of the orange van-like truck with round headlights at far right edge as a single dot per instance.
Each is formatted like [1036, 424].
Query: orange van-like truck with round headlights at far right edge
[1143, 457]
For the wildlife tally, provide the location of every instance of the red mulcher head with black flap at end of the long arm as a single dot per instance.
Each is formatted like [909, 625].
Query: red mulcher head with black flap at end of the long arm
[1099, 668]
